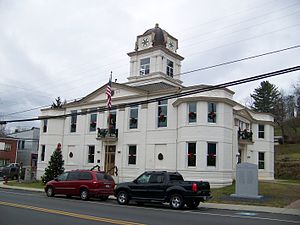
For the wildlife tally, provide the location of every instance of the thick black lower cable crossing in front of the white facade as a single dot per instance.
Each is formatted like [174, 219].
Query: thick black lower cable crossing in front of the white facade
[182, 94]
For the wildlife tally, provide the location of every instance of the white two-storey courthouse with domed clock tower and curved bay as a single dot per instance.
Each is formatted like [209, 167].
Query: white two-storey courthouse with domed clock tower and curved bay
[203, 136]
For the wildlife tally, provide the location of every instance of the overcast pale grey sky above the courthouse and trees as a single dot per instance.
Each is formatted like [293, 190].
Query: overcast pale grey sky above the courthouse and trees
[68, 48]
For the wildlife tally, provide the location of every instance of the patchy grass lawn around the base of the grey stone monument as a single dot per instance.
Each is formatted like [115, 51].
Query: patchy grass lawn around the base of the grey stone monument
[276, 194]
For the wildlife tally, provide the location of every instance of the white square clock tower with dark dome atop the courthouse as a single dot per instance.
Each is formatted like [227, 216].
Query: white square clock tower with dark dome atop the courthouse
[155, 59]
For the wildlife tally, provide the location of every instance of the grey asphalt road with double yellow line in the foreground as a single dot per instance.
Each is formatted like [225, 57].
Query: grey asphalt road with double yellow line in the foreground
[32, 208]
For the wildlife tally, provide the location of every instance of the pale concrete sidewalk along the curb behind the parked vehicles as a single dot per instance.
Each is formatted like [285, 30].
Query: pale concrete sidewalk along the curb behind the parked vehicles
[288, 210]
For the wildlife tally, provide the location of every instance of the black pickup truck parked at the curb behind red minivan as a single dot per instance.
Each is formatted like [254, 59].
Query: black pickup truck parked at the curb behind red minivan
[162, 186]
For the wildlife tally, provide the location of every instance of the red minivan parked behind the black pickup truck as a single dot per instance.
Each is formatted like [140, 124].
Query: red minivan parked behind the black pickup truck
[83, 183]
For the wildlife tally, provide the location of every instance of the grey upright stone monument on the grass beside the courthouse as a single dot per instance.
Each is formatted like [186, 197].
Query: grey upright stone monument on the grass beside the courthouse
[246, 185]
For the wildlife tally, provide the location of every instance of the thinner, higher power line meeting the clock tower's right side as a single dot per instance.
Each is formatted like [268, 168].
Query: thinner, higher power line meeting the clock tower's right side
[192, 71]
